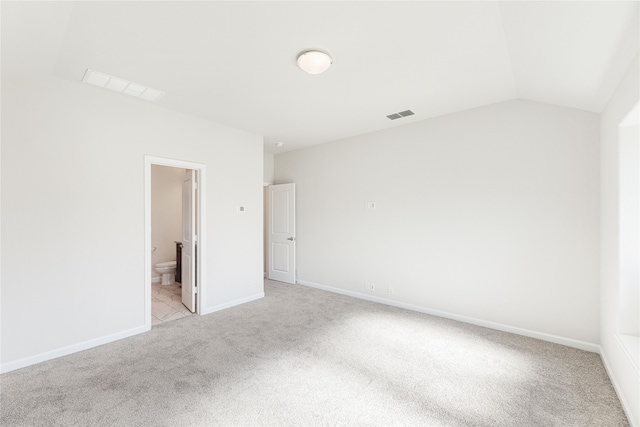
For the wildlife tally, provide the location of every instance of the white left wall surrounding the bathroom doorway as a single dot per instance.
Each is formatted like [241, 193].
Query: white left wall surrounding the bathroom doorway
[73, 212]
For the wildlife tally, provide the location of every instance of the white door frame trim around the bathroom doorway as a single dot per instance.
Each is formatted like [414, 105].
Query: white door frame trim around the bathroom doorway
[201, 205]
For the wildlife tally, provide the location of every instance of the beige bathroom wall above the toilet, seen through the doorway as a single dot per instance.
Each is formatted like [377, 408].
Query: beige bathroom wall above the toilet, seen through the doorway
[166, 213]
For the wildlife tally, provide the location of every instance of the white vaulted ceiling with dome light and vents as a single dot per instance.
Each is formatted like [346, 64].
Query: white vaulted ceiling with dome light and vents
[234, 62]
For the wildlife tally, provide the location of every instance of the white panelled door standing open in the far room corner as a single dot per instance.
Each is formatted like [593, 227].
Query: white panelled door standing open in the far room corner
[282, 233]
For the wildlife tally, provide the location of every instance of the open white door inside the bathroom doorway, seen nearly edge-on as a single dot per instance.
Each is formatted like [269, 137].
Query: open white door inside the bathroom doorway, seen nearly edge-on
[189, 239]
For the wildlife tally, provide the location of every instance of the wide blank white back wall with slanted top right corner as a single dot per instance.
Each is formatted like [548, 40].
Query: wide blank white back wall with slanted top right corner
[489, 214]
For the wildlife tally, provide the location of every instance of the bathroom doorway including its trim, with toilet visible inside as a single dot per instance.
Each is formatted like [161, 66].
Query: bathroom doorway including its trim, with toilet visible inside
[174, 239]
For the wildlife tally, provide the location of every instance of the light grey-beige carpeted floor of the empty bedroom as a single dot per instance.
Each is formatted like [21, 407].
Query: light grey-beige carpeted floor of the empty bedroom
[306, 357]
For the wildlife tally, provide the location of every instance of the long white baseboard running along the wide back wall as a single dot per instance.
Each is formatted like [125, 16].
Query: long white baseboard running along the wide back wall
[582, 345]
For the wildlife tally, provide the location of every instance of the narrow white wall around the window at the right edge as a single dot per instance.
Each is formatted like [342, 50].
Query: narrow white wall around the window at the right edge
[622, 370]
